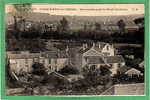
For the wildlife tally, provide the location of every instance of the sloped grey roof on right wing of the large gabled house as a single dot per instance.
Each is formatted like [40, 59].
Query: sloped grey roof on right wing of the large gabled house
[114, 59]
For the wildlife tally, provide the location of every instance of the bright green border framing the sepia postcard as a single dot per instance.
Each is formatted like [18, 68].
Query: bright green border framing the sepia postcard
[146, 49]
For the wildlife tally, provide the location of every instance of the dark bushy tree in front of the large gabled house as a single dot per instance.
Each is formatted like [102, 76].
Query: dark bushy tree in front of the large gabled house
[95, 76]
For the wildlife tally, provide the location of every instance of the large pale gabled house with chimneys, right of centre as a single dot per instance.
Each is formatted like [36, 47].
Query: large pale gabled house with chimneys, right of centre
[98, 55]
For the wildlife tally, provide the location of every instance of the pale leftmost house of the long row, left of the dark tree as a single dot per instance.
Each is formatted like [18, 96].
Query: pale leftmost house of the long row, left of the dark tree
[22, 61]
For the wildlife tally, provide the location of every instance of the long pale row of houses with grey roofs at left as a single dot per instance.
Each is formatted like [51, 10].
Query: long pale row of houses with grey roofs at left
[22, 61]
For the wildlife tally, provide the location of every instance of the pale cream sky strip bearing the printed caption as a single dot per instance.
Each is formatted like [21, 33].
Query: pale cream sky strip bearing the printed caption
[86, 9]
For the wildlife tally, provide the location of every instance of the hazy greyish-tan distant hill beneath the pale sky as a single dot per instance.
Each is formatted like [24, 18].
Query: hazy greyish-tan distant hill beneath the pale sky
[45, 17]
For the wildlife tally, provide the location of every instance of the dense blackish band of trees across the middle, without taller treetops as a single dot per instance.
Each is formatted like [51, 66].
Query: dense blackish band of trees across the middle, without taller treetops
[134, 37]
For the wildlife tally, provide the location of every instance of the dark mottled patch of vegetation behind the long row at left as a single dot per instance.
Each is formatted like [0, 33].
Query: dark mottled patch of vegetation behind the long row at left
[32, 45]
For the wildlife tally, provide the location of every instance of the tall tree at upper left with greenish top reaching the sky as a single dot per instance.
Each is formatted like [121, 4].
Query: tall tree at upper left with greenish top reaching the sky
[20, 13]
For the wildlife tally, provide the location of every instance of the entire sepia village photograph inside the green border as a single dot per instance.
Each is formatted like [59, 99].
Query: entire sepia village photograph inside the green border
[74, 50]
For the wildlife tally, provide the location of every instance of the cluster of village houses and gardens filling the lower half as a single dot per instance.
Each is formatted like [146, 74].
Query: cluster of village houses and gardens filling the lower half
[73, 68]
